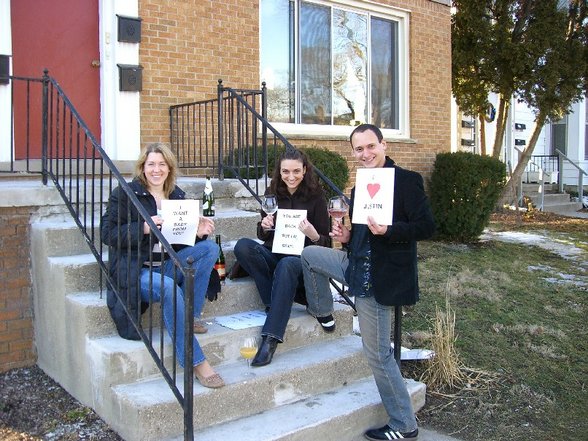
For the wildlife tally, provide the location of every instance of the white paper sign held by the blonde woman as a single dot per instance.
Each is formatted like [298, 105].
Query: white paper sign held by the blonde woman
[180, 220]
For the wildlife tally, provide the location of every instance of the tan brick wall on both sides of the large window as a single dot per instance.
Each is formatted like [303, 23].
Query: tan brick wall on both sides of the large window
[188, 45]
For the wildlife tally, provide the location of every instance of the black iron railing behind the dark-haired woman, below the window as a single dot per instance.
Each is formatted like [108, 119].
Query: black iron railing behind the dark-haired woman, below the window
[230, 136]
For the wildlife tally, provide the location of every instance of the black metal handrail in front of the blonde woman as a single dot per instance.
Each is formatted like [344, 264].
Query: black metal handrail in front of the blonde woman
[80, 169]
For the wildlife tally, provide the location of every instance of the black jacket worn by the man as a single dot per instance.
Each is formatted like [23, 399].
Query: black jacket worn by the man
[394, 273]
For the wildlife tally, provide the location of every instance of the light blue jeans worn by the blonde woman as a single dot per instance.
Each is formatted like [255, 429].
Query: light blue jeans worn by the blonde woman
[205, 254]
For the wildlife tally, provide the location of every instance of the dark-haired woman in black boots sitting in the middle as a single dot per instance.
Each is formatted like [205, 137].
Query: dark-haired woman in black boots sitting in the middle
[278, 277]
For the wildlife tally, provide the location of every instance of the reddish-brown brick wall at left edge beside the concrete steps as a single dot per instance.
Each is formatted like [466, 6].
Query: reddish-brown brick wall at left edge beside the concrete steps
[16, 308]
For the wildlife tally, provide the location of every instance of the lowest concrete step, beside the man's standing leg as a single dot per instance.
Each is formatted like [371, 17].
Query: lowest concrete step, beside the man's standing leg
[339, 415]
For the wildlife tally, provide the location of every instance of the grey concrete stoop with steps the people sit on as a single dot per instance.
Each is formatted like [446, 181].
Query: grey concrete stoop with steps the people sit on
[318, 385]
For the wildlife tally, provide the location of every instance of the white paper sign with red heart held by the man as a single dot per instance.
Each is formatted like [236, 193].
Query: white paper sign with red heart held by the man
[374, 195]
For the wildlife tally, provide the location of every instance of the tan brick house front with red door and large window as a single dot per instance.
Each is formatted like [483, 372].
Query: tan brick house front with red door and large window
[327, 64]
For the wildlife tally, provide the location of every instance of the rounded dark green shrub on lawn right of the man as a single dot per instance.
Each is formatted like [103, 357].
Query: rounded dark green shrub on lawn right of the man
[464, 190]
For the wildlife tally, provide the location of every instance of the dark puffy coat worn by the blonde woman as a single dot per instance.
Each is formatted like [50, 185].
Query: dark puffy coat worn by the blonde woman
[120, 227]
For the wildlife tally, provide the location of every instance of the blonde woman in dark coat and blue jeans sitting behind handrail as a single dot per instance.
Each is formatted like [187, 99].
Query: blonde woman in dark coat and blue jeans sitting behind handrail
[135, 261]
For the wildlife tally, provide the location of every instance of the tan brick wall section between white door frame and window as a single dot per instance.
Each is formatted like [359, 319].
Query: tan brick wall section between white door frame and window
[186, 47]
